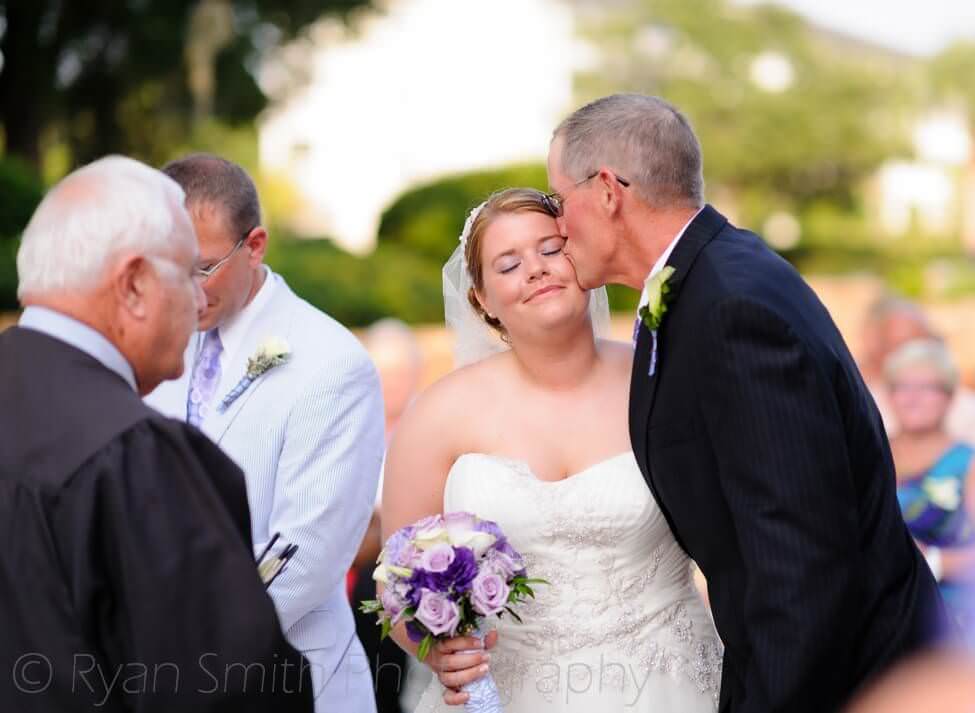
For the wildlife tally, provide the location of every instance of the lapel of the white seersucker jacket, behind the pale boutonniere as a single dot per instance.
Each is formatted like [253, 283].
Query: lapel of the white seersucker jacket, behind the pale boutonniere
[267, 324]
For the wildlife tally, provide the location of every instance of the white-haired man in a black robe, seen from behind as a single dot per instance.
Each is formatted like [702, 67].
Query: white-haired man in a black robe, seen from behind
[127, 580]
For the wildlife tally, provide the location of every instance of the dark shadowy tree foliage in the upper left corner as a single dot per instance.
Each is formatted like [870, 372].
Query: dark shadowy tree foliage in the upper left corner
[107, 76]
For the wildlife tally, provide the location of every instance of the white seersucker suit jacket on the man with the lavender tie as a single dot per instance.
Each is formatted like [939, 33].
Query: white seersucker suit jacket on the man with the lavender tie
[308, 435]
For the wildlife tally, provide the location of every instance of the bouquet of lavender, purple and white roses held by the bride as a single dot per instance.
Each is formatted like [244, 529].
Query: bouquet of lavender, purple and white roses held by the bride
[442, 576]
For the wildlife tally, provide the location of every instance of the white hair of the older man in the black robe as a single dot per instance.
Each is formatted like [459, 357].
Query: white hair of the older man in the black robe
[108, 207]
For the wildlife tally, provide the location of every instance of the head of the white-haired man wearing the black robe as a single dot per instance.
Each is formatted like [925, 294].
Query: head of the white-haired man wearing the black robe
[113, 246]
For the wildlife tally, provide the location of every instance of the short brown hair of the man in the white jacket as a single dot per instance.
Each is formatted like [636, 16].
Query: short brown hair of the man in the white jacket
[215, 181]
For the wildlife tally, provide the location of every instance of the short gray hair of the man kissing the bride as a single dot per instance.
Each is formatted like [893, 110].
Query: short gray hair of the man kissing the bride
[646, 139]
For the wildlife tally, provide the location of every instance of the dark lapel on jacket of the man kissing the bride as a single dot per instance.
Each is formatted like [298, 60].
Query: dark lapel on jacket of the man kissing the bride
[643, 387]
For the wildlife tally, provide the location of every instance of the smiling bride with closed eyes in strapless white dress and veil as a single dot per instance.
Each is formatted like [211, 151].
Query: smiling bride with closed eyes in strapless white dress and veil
[531, 432]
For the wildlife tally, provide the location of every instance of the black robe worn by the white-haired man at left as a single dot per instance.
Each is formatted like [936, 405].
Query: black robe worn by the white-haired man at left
[127, 579]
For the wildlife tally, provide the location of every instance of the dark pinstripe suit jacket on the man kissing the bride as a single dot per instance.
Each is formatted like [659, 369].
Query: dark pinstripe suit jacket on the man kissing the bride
[767, 455]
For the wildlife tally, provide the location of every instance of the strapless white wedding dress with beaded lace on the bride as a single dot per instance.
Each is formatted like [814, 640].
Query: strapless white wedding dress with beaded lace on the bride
[621, 626]
